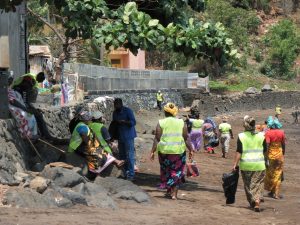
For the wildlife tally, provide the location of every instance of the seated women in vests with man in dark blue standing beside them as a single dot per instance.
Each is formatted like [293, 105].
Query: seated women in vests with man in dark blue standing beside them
[92, 140]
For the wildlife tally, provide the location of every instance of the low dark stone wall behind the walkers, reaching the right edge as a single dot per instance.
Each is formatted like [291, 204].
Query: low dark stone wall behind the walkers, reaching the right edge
[211, 105]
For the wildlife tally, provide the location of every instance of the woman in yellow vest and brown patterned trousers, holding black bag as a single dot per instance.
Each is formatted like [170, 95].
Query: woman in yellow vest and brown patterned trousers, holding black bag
[250, 156]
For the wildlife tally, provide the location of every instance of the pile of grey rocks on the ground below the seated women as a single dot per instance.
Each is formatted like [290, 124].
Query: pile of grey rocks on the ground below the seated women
[62, 187]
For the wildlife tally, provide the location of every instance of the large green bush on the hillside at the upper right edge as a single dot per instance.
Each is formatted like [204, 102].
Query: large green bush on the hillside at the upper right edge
[283, 41]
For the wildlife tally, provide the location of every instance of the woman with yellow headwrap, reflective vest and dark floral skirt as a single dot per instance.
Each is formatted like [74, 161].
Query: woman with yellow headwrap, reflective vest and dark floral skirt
[171, 140]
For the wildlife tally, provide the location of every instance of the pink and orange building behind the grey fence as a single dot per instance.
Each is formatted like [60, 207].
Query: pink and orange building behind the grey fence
[123, 58]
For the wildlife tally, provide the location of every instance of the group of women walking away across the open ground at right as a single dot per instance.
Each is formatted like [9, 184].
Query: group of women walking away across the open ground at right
[259, 154]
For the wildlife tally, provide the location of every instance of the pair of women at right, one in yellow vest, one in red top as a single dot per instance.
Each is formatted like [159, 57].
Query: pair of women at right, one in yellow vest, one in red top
[260, 157]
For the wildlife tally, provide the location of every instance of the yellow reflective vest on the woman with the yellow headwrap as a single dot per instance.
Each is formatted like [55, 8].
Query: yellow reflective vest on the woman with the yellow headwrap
[171, 141]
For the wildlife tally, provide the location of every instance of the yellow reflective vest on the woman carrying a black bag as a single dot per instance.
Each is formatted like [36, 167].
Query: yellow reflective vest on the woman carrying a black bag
[252, 158]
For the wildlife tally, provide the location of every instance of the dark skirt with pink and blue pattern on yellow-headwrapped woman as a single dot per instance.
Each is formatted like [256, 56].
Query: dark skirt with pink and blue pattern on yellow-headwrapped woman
[172, 169]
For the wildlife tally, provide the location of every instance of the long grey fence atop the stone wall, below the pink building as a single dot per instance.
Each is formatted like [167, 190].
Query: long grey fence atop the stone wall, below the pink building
[93, 78]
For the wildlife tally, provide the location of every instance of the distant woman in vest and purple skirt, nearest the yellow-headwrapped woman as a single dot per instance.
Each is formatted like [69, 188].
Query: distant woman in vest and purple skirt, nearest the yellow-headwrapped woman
[196, 132]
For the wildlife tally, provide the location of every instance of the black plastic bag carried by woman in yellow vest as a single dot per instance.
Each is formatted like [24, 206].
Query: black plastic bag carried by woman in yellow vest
[230, 182]
